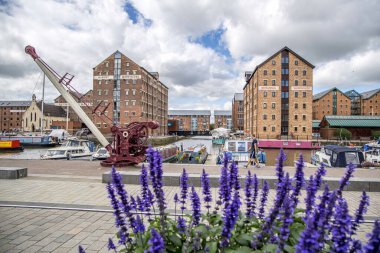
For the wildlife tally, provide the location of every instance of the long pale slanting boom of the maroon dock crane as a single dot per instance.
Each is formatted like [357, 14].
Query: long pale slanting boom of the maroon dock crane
[55, 80]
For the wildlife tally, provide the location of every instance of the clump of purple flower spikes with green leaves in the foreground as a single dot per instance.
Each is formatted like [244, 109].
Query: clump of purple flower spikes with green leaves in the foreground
[241, 220]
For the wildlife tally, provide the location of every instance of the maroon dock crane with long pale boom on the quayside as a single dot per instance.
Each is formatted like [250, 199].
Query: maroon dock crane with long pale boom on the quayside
[129, 143]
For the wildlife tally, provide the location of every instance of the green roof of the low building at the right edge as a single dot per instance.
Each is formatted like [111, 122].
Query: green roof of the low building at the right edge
[351, 121]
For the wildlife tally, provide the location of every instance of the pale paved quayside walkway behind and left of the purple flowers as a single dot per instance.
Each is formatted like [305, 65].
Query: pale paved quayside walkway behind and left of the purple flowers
[54, 230]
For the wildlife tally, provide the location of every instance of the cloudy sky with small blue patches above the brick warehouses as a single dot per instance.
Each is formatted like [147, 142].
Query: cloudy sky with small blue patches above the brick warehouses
[201, 48]
